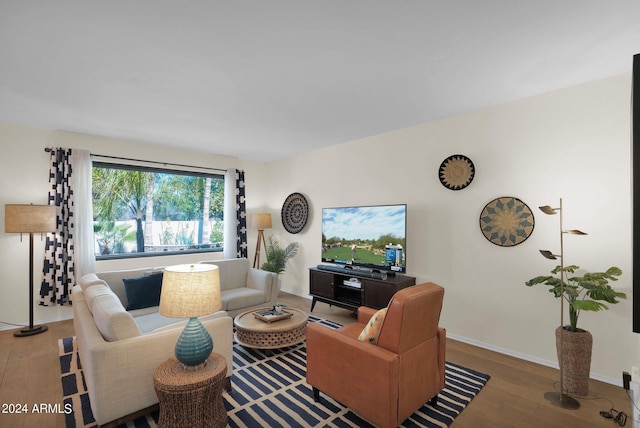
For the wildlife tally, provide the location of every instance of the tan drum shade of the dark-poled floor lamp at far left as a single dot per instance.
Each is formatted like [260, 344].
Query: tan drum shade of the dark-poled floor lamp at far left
[20, 218]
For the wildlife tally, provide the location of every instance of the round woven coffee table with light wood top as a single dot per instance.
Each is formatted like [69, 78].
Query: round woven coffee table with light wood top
[255, 333]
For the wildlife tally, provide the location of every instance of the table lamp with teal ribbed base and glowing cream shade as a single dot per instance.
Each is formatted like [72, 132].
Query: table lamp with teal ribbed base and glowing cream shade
[190, 291]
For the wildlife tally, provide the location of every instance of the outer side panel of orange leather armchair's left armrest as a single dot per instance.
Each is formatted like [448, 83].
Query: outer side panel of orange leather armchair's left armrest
[333, 357]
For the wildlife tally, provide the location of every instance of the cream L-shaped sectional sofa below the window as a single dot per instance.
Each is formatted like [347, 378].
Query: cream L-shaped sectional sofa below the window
[120, 349]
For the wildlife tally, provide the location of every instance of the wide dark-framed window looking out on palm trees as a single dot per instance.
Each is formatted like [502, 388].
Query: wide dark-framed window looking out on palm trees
[150, 211]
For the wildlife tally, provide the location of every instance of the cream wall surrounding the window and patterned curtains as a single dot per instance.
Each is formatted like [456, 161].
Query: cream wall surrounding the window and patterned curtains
[24, 167]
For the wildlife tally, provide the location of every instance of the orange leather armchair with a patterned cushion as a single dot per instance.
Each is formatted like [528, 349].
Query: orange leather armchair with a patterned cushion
[387, 382]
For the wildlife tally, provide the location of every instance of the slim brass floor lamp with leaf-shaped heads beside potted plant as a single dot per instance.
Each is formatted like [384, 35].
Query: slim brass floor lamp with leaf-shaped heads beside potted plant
[560, 398]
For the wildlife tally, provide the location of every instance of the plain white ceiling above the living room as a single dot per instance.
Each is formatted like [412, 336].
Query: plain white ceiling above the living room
[262, 80]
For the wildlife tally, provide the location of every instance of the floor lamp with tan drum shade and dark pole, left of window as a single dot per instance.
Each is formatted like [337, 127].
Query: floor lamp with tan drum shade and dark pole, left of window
[30, 219]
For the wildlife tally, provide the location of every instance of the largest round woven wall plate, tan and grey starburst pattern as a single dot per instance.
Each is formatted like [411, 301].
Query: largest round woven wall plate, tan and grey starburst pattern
[506, 221]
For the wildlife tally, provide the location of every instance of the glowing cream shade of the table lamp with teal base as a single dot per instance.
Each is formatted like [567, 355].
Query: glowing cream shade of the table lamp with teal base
[190, 290]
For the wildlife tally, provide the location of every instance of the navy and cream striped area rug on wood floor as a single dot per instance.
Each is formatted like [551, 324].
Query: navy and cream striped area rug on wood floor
[271, 391]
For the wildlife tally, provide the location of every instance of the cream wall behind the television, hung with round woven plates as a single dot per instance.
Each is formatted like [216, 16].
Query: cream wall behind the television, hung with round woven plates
[573, 143]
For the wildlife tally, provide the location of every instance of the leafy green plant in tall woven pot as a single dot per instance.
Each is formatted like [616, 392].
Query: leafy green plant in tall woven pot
[589, 292]
